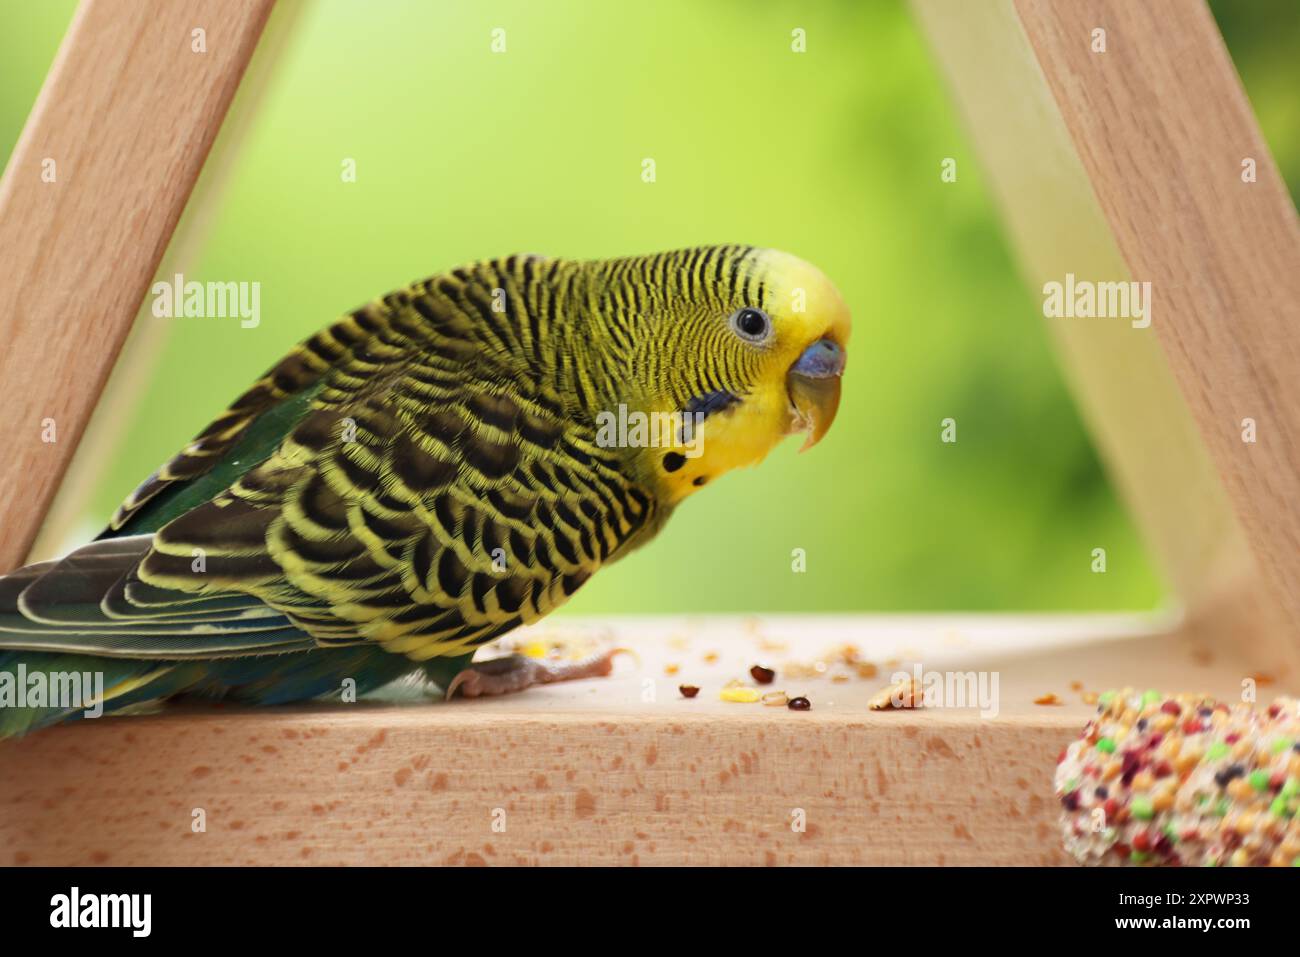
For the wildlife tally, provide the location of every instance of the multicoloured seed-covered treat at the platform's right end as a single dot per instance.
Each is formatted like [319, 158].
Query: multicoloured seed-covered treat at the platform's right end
[1182, 780]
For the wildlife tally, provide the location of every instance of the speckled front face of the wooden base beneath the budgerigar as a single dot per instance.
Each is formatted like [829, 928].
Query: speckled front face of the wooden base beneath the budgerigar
[388, 787]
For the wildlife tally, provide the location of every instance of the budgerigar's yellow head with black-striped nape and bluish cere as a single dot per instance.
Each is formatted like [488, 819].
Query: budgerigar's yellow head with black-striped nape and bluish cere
[735, 347]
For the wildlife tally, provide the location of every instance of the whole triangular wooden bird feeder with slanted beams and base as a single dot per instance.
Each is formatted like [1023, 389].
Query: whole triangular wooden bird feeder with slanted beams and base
[1117, 166]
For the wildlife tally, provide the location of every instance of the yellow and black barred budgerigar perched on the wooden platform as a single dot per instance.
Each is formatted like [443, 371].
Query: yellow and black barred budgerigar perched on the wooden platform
[428, 474]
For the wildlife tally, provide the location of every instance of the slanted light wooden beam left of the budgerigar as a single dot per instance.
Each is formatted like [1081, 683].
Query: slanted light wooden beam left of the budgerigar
[88, 205]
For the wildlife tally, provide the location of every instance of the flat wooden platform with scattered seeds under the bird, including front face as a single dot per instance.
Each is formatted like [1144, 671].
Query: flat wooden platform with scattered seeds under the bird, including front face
[596, 773]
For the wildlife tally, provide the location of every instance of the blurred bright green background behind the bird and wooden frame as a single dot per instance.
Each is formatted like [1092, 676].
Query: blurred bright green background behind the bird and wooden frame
[833, 154]
